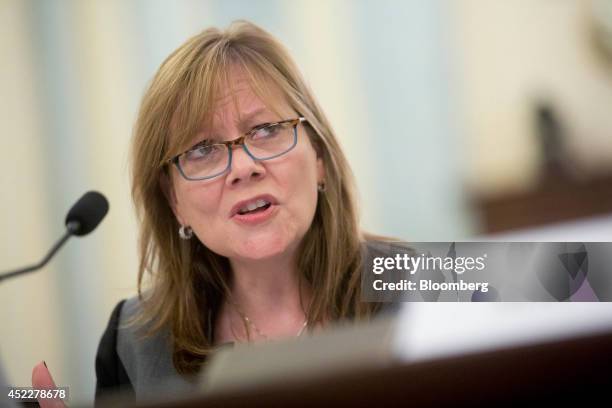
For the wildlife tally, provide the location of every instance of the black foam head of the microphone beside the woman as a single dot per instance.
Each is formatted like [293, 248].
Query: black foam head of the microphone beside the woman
[86, 214]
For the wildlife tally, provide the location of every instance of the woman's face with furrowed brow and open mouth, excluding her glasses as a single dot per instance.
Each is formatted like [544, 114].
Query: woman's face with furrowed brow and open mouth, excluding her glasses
[213, 208]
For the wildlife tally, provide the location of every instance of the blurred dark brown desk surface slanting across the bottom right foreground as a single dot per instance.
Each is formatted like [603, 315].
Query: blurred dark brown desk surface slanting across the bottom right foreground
[569, 372]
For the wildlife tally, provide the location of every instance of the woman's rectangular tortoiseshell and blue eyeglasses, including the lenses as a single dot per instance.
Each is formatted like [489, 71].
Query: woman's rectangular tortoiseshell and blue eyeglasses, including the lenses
[207, 160]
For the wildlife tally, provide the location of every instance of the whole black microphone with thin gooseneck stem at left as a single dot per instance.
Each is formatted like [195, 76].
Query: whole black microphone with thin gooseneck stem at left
[83, 218]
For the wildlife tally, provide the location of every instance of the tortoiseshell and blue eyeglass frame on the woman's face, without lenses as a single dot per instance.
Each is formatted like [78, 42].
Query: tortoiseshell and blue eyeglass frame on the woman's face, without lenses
[239, 141]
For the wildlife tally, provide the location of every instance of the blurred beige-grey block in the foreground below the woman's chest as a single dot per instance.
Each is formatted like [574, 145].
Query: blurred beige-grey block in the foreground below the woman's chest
[332, 352]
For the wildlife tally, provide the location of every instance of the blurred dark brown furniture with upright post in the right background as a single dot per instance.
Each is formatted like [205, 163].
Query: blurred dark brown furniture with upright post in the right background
[561, 194]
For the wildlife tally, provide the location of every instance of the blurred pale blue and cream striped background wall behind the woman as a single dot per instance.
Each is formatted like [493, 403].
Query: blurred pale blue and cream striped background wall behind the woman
[431, 101]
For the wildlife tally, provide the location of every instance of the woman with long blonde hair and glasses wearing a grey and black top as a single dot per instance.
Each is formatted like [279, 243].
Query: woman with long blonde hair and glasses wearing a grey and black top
[249, 227]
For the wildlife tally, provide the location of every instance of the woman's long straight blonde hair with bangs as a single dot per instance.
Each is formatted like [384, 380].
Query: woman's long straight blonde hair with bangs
[187, 280]
